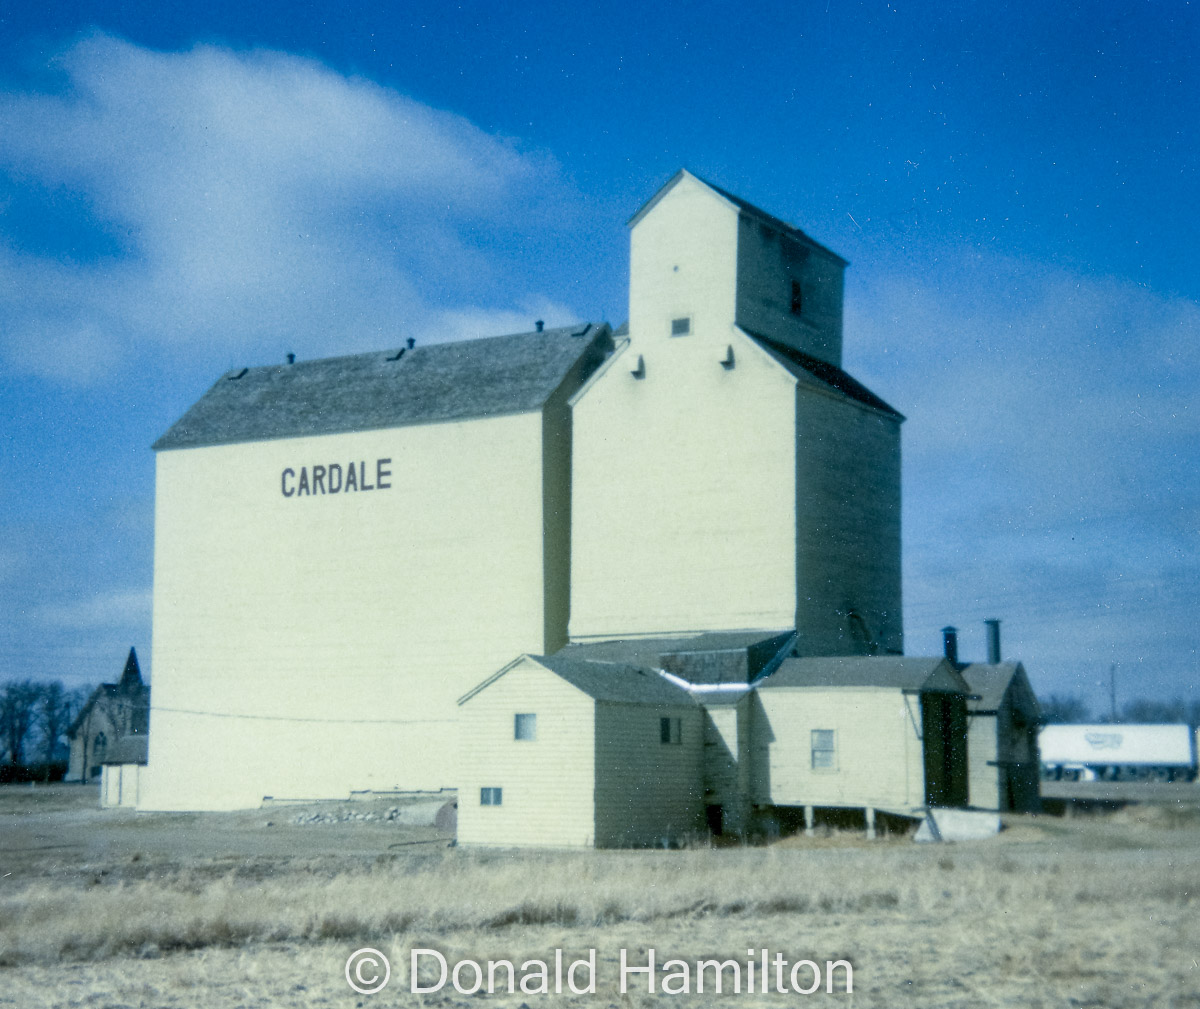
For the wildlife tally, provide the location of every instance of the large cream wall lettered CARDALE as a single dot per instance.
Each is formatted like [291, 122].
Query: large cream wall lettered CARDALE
[309, 646]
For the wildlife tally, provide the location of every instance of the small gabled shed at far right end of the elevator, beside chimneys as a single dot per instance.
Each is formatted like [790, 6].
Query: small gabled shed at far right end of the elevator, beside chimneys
[1003, 738]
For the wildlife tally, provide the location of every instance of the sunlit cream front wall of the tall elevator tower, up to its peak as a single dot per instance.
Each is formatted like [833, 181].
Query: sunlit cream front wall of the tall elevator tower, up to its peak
[683, 478]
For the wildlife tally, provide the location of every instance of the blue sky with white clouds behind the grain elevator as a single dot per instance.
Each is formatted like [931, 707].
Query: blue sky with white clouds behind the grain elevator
[189, 188]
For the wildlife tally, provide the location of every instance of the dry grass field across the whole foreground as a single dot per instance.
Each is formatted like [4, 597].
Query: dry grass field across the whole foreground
[112, 909]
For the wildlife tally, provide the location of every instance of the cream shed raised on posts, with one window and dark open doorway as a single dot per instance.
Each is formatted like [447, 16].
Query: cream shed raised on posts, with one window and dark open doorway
[879, 732]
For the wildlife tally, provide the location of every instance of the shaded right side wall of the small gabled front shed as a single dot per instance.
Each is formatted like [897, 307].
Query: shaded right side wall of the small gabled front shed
[647, 791]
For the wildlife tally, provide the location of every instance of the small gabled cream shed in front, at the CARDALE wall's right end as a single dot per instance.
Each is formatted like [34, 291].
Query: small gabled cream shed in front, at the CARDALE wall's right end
[574, 753]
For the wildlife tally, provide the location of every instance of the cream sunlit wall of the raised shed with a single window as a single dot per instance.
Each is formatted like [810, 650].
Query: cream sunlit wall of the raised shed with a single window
[879, 748]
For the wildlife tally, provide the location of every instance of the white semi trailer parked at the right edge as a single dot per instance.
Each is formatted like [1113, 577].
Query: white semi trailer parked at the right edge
[1118, 753]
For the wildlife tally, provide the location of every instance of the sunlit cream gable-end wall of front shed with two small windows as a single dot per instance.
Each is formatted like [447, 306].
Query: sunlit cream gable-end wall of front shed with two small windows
[548, 783]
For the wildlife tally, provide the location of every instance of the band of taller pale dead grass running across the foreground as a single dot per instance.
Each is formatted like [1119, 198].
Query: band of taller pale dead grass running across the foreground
[461, 892]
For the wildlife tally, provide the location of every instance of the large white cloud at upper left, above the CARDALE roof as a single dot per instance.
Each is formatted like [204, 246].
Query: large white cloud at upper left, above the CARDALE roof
[250, 199]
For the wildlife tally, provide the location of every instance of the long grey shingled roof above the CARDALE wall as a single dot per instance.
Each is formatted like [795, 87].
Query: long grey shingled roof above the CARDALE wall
[439, 382]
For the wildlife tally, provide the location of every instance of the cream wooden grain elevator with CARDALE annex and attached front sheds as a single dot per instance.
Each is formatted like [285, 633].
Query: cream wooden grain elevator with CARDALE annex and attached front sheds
[556, 570]
